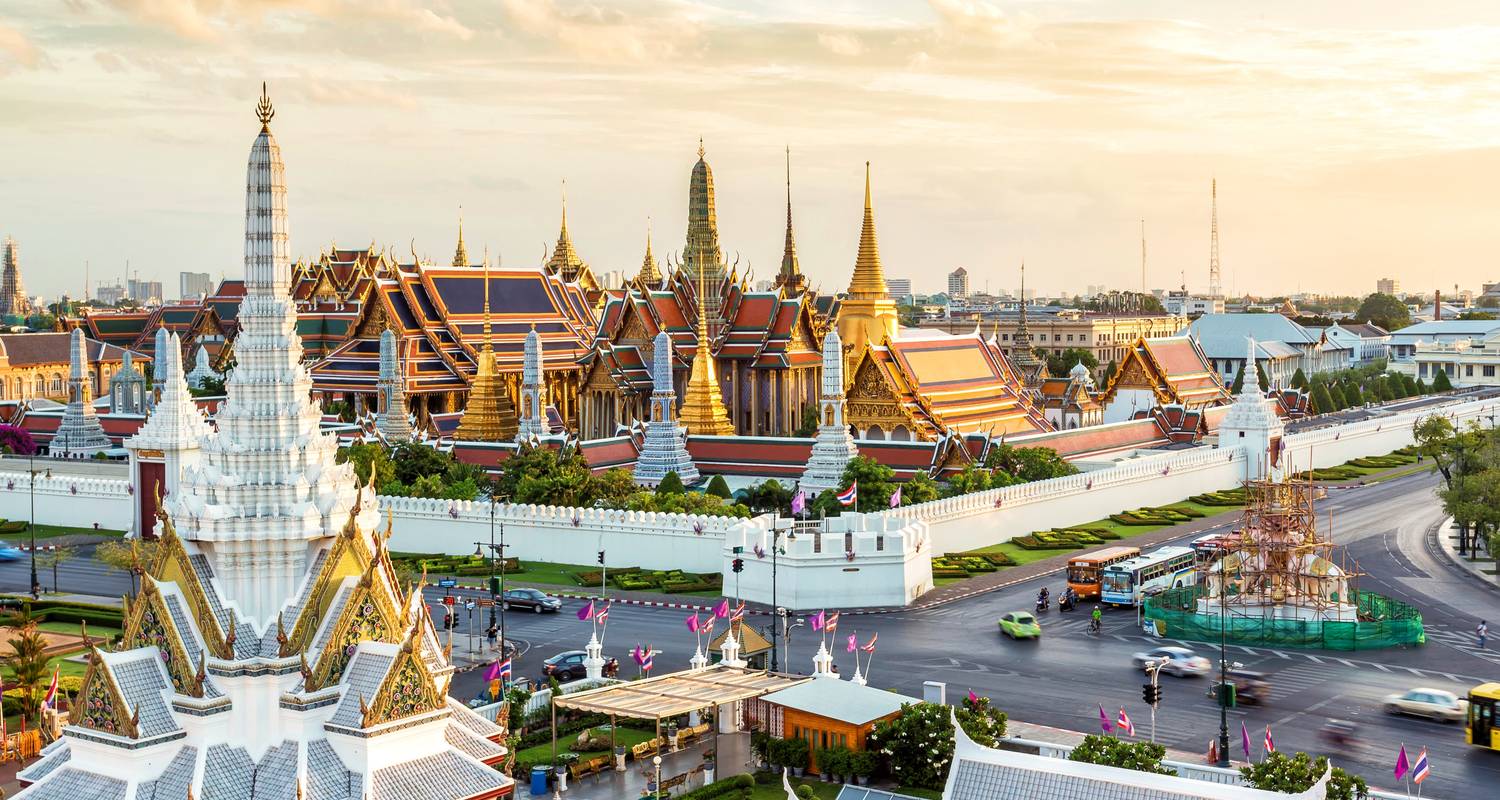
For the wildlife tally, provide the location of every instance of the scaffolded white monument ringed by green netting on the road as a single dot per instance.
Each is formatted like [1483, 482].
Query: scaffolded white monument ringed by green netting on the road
[1279, 582]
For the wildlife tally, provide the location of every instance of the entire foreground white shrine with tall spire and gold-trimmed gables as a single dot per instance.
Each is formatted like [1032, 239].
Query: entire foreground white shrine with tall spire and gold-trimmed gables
[274, 652]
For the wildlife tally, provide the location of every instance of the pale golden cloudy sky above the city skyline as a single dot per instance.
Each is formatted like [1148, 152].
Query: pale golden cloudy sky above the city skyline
[1349, 140]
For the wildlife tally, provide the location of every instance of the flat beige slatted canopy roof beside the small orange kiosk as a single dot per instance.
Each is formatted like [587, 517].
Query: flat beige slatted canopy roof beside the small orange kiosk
[679, 693]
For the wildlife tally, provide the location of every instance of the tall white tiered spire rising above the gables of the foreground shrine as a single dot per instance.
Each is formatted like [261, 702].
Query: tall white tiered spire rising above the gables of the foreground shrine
[268, 490]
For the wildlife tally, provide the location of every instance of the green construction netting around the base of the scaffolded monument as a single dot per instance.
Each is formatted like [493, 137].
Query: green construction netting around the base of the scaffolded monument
[1384, 622]
